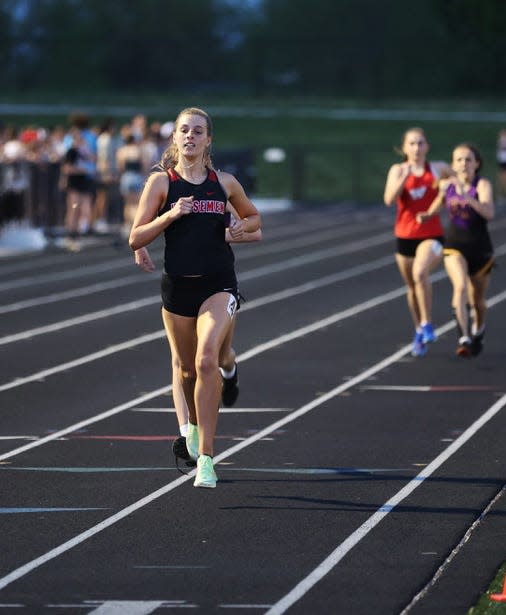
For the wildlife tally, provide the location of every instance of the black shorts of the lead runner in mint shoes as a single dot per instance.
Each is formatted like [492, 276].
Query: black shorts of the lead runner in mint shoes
[184, 295]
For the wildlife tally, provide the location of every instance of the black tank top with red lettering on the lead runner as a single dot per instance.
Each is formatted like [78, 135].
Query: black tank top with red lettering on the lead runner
[195, 243]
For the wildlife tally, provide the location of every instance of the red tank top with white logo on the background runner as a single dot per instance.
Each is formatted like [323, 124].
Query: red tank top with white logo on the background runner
[417, 196]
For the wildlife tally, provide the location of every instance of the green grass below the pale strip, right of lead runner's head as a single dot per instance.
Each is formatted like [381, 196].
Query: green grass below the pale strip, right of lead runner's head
[343, 159]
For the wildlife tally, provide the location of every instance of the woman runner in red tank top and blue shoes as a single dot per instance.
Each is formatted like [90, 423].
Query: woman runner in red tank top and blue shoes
[412, 185]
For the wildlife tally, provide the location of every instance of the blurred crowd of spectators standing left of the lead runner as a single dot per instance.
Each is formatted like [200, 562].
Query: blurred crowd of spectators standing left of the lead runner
[77, 177]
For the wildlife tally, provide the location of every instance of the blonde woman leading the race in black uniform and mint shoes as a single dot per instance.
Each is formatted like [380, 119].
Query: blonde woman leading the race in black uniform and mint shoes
[187, 202]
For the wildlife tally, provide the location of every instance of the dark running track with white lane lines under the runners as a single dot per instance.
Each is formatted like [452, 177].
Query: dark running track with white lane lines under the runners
[354, 479]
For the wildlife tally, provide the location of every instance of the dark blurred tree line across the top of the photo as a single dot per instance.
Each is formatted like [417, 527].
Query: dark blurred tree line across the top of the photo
[344, 48]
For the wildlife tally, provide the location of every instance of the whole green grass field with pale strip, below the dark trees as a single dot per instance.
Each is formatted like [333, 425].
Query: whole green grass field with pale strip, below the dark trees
[336, 150]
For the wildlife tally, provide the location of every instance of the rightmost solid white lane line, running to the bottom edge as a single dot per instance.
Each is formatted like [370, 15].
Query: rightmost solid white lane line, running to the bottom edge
[353, 539]
